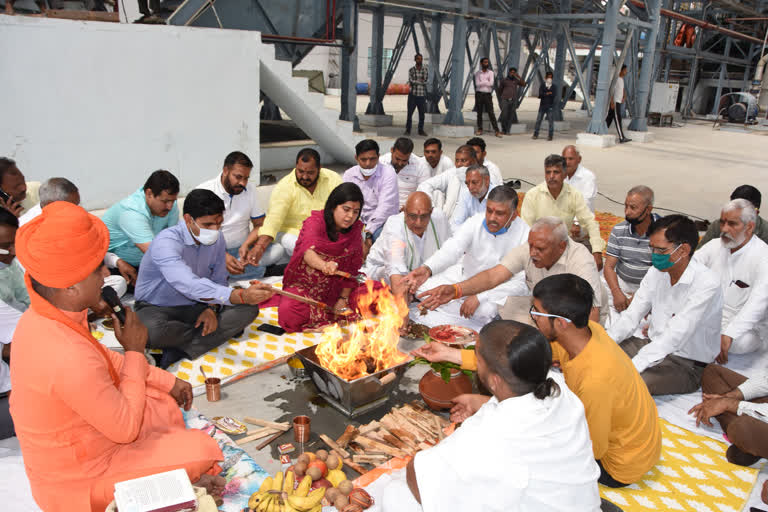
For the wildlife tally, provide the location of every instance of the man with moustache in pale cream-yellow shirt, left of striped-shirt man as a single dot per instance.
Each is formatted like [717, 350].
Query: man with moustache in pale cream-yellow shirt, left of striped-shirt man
[556, 198]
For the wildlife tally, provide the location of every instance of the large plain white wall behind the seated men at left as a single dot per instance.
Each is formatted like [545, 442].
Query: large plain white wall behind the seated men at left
[105, 104]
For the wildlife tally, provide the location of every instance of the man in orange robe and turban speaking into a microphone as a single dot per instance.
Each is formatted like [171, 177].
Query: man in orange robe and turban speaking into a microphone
[87, 417]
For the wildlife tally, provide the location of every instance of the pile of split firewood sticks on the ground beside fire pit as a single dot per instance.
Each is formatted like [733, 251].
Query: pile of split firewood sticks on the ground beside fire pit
[402, 432]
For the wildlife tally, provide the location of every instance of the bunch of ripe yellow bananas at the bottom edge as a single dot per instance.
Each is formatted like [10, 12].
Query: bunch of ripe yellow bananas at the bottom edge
[278, 495]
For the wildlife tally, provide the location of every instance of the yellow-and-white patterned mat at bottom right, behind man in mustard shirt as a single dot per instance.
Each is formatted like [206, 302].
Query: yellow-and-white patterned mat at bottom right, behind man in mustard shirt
[692, 475]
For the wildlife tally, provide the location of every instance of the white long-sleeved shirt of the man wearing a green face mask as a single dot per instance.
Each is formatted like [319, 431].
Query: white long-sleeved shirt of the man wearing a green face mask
[686, 317]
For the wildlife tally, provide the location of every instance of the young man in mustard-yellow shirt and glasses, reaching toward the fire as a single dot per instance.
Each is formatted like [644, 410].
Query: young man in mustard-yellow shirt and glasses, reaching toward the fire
[622, 416]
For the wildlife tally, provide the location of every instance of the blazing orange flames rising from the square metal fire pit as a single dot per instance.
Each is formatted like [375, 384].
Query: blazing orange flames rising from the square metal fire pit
[369, 345]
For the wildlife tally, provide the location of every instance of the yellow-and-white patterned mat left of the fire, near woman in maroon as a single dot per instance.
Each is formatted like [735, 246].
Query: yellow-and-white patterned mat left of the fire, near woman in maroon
[252, 352]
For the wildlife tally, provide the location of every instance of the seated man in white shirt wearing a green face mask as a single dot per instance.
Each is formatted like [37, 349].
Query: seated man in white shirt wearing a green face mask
[687, 304]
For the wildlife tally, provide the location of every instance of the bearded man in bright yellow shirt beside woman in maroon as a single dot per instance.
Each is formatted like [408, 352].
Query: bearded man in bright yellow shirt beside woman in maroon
[292, 201]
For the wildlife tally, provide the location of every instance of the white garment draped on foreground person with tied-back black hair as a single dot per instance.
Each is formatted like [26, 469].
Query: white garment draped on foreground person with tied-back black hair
[522, 454]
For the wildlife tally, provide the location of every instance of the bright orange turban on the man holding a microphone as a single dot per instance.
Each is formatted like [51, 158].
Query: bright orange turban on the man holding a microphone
[63, 245]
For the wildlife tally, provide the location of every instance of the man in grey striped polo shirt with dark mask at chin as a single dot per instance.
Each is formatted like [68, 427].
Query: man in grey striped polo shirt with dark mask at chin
[628, 256]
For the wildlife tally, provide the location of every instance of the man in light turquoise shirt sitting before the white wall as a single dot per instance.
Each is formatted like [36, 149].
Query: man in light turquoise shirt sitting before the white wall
[134, 221]
